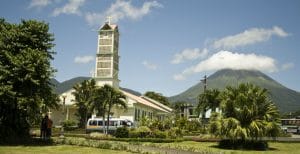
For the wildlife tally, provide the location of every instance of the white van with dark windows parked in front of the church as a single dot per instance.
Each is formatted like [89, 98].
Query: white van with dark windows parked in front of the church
[96, 124]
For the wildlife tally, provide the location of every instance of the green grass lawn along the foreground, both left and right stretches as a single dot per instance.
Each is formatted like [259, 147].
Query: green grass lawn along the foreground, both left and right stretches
[206, 147]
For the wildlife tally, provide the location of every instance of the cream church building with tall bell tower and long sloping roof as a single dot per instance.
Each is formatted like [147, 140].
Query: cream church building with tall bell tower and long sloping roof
[106, 72]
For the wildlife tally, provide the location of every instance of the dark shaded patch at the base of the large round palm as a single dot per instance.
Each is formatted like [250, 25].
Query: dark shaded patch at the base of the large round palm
[243, 144]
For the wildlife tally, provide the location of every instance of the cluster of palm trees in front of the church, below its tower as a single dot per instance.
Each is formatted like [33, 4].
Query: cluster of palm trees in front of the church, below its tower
[91, 98]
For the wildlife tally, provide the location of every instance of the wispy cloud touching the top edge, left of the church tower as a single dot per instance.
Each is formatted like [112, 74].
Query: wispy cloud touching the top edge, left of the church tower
[72, 7]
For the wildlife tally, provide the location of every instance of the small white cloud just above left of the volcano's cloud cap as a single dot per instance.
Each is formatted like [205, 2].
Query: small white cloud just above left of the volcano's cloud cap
[189, 54]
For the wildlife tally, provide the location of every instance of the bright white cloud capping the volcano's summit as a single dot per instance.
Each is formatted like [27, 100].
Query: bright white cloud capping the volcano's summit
[227, 59]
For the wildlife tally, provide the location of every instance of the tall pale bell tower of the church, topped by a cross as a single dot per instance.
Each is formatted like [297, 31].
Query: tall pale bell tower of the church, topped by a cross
[107, 57]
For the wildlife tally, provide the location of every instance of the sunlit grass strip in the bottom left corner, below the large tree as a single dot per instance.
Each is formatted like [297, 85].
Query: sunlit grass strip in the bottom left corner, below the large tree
[60, 149]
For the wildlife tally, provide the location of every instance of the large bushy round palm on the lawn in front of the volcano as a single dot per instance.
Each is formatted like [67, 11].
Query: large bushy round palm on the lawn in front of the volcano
[247, 113]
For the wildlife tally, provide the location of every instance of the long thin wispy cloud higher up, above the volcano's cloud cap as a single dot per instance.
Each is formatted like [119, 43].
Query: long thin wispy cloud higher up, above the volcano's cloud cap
[250, 36]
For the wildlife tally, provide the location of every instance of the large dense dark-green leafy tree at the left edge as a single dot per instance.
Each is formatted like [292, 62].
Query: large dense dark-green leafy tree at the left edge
[25, 55]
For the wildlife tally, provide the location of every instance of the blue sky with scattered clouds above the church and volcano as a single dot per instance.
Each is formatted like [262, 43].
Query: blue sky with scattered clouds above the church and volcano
[169, 45]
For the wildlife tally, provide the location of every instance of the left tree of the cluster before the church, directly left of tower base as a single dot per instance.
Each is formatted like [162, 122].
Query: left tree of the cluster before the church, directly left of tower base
[84, 97]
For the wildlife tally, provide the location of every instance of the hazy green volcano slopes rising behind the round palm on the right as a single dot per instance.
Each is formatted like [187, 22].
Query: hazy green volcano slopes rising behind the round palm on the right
[286, 100]
